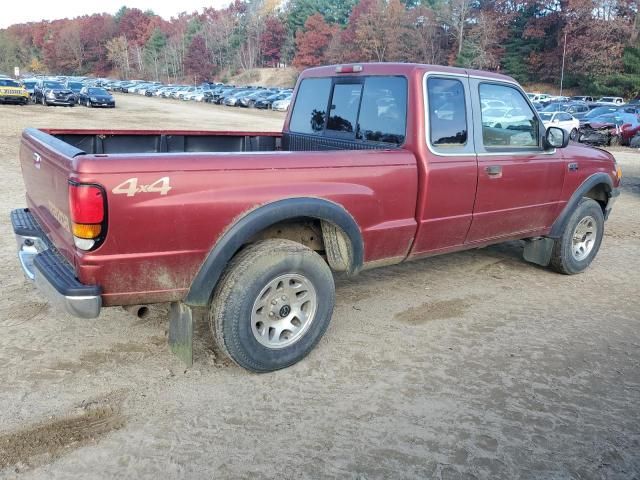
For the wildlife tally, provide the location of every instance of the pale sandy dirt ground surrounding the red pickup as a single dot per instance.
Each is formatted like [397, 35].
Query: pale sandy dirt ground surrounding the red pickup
[471, 365]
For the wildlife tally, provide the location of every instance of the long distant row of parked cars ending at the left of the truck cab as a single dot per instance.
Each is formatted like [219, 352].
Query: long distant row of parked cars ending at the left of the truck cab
[273, 98]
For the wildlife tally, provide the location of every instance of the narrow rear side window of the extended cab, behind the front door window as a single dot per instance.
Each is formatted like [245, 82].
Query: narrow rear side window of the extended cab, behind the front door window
[447, 112]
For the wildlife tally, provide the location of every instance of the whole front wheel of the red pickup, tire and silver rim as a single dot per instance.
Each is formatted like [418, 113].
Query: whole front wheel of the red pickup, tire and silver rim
[573, 255]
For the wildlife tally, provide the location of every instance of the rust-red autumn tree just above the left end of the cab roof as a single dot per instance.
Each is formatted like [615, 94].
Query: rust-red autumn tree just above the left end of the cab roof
[312, 43]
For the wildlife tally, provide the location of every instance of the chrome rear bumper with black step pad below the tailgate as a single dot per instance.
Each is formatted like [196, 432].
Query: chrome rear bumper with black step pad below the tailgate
[50, 272]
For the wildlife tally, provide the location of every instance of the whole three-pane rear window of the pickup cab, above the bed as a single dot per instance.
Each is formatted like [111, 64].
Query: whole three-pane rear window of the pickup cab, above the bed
[369, 109]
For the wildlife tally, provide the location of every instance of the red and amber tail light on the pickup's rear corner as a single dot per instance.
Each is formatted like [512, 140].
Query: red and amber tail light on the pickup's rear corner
[87, 207]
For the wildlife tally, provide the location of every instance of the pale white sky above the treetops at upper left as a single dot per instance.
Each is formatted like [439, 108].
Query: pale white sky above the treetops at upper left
[51, 10]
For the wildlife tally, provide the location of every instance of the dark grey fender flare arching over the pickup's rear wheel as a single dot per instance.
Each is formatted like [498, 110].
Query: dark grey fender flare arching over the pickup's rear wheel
[257, 220]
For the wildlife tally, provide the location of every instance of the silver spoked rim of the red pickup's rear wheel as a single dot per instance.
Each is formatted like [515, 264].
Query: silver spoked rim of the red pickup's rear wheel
[284, 310]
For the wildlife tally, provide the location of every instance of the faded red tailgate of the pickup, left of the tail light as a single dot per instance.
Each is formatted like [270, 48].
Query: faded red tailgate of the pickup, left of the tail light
[46, 164]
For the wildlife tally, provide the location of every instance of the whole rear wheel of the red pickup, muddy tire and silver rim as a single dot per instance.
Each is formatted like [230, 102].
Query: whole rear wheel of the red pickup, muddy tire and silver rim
[252, 303]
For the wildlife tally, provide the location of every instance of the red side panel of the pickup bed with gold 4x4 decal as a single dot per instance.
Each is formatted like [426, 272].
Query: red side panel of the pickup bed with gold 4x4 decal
[156, 243]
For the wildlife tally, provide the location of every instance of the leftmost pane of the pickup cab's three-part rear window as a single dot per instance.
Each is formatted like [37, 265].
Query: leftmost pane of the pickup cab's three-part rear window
[310, 110]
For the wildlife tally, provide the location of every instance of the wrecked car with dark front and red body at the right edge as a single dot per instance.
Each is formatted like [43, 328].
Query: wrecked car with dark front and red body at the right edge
[610, 129]
